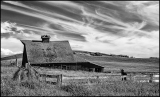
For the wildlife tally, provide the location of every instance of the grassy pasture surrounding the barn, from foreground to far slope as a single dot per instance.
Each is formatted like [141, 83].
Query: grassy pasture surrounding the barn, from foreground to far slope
[83, 83]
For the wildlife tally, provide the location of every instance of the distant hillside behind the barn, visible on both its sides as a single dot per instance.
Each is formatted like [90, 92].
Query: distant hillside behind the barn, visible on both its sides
[110, 63]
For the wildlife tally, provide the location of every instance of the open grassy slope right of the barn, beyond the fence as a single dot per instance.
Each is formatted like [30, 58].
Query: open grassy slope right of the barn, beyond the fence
[128, 64]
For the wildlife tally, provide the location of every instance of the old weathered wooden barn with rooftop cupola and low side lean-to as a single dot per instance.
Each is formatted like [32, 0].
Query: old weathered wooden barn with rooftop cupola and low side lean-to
[55, 54]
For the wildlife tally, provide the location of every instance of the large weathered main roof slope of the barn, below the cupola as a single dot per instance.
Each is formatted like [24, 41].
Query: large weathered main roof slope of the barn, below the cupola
[51, 52]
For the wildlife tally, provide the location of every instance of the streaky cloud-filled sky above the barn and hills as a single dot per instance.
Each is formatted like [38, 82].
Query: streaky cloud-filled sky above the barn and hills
[112, 27]
